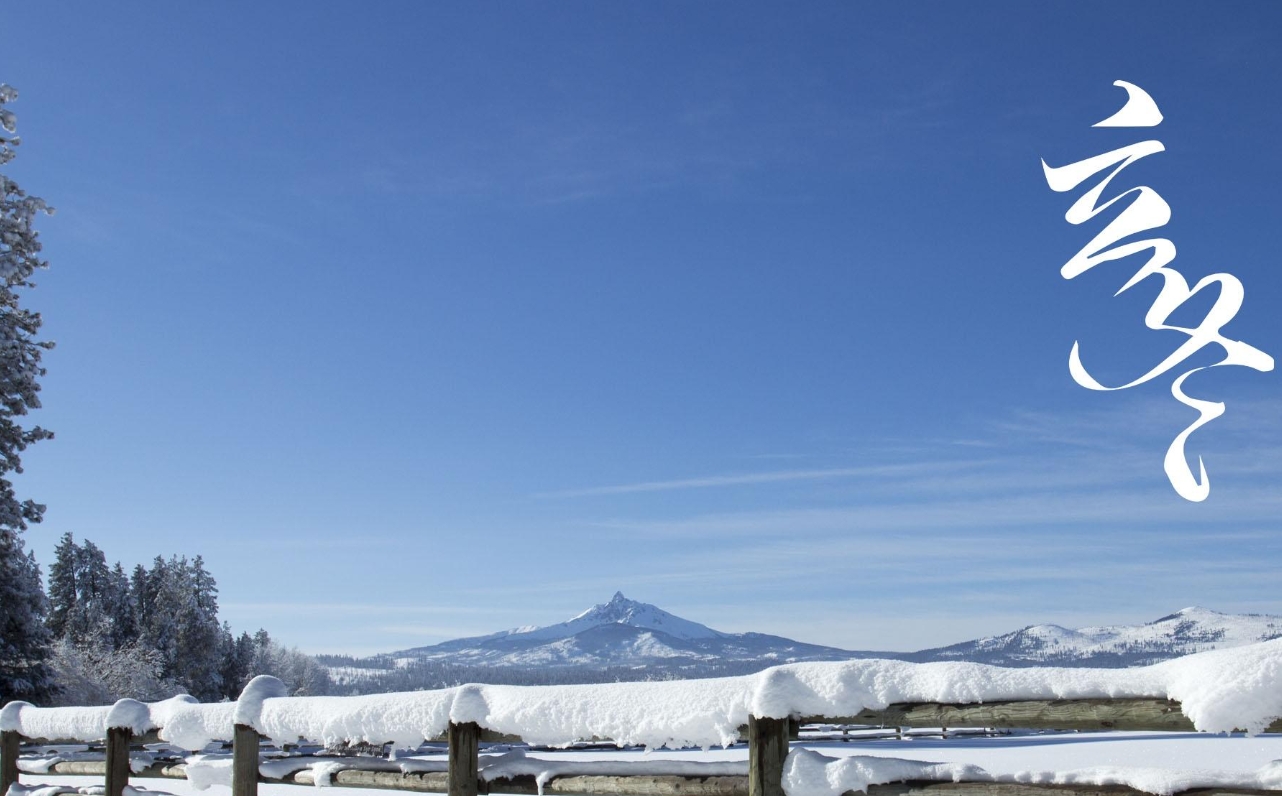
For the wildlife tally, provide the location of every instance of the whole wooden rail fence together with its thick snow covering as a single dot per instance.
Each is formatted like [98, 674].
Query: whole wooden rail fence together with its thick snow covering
[1217, 692]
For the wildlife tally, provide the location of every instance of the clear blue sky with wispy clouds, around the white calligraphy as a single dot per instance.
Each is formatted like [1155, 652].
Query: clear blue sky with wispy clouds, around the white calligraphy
[430, 320]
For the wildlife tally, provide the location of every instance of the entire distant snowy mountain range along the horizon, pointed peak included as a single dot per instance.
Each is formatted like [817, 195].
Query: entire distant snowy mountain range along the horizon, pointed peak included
[630, 640]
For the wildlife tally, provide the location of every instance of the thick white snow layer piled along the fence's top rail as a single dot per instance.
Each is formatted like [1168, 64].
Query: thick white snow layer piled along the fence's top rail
[1221, 690]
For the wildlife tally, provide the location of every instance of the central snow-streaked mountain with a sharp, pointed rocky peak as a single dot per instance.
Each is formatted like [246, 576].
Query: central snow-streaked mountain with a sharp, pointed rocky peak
[619, 634]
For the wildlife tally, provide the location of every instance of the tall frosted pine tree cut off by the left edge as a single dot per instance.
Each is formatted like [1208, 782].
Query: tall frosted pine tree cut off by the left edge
[24, 636]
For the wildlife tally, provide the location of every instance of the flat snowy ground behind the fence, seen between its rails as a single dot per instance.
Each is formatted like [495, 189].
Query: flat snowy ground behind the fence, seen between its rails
[1156, 762]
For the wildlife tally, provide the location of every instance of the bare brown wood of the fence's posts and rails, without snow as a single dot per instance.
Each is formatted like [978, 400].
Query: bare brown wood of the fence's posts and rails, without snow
[769, 742]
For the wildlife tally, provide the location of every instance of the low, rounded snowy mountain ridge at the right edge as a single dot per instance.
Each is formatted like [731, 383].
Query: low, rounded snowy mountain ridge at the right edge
[1192, 630]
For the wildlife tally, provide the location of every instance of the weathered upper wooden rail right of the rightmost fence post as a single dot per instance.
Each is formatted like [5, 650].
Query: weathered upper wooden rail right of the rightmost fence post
[1133, 715]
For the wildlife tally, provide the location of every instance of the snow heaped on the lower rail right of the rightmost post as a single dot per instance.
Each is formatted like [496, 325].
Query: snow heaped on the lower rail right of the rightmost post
[808, 774]
